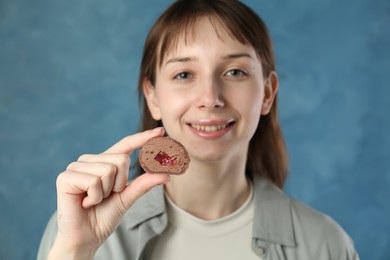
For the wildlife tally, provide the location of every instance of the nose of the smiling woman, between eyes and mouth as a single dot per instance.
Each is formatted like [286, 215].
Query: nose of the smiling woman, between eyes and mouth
[209, 95]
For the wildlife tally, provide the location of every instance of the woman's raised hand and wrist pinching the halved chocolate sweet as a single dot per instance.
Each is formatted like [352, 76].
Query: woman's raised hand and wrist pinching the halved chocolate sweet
[93, 196]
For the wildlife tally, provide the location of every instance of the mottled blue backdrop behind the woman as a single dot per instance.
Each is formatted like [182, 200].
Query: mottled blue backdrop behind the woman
[68, 73]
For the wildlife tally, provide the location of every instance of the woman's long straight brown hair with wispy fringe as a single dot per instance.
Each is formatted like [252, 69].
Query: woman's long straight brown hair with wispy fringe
[267, 154]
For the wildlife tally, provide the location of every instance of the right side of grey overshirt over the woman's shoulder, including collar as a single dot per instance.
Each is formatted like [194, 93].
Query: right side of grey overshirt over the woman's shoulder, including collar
[301, 229]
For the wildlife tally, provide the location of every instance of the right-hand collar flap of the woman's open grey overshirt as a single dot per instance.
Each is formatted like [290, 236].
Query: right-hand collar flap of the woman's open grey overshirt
[273, 217]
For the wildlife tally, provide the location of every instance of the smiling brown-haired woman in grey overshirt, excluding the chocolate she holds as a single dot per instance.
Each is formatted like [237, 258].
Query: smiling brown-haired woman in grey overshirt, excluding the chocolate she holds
[208, 80]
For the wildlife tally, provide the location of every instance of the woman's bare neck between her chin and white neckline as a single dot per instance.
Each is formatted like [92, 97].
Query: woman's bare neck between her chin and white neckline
[210, 191]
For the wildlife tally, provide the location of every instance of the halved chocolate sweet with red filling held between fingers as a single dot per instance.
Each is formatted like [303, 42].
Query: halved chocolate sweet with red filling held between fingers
[164, 155]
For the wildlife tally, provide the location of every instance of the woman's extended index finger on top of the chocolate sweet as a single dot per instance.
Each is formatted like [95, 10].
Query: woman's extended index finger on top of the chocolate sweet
[132, 142]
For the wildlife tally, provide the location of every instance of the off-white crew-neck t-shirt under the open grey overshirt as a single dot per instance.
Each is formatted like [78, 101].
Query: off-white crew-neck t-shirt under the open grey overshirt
[190, 238]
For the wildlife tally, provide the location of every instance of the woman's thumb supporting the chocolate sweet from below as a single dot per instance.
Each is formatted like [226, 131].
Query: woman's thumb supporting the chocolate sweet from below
[140, 186]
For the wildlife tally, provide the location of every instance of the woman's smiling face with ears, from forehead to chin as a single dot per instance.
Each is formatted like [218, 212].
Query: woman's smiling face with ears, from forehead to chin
[210, 93]
